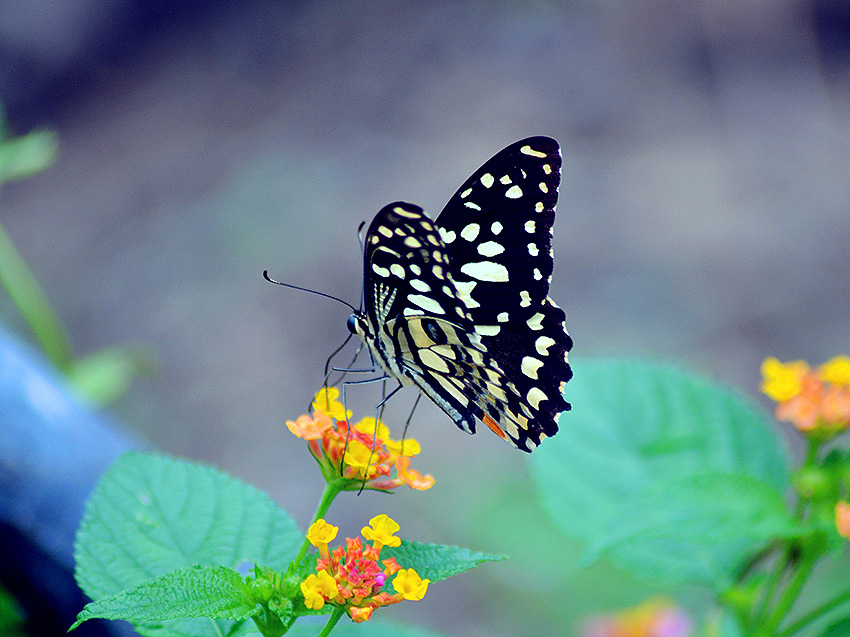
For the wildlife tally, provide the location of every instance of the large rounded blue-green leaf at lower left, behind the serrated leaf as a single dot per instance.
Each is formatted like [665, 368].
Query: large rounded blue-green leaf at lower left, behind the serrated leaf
[150, 515]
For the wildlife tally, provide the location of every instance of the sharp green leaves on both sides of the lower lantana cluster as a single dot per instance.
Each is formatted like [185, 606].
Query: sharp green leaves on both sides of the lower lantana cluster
[161, 540]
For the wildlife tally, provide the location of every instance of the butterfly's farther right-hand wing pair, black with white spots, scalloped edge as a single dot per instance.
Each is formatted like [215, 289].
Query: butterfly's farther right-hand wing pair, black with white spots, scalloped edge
[497, 230]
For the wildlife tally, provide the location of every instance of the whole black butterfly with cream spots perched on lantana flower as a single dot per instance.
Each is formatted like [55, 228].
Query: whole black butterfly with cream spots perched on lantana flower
[459, 306]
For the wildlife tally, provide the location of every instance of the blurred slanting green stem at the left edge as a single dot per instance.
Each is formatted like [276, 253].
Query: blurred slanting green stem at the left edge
[32, 303]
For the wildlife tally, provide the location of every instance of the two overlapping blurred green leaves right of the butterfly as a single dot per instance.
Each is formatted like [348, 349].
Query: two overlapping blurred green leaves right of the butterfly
[646, 446]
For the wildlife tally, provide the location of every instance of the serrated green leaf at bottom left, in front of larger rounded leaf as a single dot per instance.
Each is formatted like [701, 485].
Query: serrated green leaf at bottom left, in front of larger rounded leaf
[198, 591]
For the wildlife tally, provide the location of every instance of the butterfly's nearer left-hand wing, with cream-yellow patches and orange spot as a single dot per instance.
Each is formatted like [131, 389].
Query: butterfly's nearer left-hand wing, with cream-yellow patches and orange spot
[420, 331]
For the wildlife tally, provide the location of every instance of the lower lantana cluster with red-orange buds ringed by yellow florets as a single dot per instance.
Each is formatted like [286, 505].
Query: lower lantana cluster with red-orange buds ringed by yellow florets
[353, 577]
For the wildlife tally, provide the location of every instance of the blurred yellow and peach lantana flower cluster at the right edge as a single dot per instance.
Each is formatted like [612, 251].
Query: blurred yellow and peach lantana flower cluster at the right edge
[815, 400]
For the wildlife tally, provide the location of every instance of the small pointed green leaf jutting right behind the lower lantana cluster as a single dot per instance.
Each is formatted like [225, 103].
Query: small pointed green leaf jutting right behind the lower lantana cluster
[435, 561]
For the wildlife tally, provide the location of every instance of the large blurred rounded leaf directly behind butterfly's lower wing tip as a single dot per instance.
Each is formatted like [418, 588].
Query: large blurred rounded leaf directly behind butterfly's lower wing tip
[635, 425]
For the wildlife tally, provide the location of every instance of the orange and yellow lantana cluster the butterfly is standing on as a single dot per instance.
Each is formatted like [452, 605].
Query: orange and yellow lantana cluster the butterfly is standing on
[363, 452]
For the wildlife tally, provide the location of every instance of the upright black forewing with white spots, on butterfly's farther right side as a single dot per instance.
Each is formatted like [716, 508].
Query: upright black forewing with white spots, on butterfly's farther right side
[498, 229]
